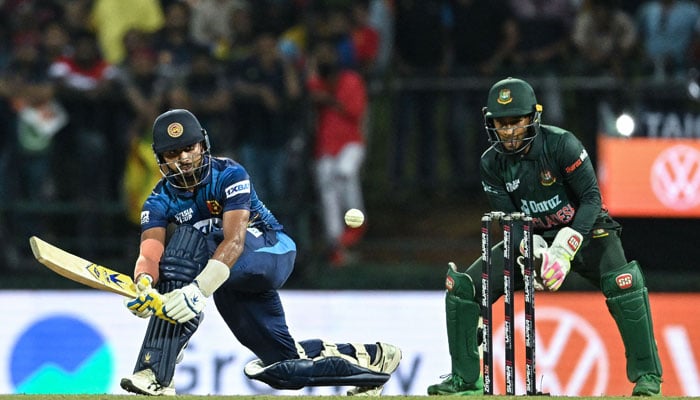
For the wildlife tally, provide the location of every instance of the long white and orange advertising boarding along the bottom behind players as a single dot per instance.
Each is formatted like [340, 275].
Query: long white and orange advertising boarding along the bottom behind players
[52, 342]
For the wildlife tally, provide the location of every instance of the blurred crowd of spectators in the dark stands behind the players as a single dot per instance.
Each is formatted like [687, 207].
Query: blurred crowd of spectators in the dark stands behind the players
[82, 80]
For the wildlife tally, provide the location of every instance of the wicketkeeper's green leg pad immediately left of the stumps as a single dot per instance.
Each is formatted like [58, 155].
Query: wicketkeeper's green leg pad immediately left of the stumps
[462, 317]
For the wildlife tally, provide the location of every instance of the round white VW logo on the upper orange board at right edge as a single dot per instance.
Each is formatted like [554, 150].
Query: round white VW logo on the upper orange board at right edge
[675, 177]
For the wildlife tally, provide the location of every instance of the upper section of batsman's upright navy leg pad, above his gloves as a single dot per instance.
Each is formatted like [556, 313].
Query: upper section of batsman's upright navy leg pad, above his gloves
[185, 256]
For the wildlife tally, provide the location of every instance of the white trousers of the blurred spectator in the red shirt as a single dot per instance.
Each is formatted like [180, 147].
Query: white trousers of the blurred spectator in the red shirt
[339, 187]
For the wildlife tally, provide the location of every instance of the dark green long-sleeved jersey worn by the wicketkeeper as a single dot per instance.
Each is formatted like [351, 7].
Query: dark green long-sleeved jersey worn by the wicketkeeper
[554, 183]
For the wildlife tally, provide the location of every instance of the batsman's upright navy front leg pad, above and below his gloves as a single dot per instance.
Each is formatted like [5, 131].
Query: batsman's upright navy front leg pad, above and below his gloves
[184, 257]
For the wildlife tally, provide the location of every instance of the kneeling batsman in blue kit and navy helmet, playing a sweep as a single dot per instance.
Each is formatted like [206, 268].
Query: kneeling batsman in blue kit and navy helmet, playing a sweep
[206, 234]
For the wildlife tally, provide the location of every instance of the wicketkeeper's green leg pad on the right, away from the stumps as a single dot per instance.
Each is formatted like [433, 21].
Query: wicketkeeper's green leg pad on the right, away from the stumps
[628, 303]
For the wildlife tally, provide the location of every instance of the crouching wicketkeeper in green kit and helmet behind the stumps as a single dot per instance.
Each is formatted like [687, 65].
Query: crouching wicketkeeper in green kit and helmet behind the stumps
[545, 172]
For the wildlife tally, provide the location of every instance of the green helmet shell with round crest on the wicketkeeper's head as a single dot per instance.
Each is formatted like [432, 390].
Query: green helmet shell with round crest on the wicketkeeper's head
[510, 97]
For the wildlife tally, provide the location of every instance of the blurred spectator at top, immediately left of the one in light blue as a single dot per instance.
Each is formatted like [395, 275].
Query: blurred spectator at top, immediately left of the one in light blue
[605, 39]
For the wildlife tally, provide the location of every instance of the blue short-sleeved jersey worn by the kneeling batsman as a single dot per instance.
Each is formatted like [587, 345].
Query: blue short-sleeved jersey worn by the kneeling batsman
[227, 187]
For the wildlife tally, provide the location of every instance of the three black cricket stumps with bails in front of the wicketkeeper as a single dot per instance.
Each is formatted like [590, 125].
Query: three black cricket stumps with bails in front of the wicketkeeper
[509, 256]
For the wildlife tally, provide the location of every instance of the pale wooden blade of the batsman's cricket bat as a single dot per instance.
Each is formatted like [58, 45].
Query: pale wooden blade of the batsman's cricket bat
[80, 270]
